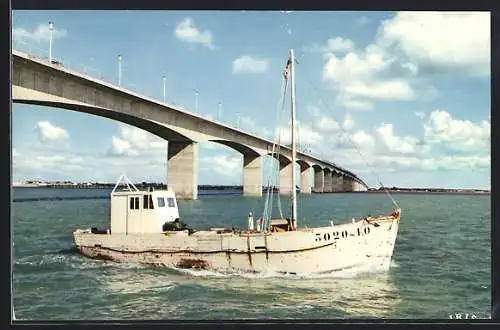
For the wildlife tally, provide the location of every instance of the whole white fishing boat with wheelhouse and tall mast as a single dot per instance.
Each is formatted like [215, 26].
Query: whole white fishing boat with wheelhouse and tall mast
[145, 227]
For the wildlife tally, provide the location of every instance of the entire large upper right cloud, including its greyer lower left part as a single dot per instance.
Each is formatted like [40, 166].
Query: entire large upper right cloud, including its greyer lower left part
[409, 45]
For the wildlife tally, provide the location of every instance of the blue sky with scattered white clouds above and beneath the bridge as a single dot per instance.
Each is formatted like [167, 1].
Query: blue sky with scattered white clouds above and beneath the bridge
[399, 98]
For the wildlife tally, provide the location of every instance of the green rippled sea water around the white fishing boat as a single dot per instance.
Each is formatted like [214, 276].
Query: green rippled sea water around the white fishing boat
[441, 263]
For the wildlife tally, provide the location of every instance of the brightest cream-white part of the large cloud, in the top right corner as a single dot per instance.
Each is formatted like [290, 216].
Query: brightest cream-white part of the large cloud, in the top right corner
[441, 40]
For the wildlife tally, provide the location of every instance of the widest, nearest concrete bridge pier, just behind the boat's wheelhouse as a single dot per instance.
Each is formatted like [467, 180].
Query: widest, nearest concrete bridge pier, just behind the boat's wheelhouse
[183, 169]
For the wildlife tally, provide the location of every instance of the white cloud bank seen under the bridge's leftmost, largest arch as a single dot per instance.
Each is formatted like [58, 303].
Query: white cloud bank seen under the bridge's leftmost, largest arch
[142, 156]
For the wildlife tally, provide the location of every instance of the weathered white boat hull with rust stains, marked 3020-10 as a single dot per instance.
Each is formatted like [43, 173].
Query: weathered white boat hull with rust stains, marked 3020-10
[305, 251]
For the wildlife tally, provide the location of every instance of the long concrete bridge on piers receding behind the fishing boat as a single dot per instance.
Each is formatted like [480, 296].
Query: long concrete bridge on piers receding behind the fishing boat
[36, 81]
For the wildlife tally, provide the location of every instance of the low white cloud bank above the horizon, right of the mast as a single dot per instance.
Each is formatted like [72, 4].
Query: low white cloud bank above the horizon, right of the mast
[362, 153]
